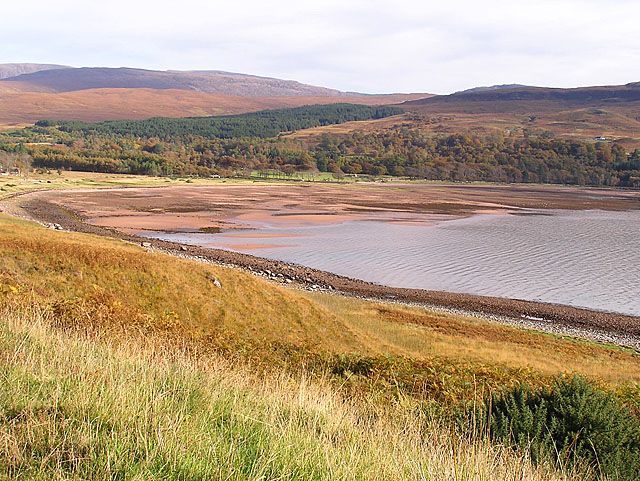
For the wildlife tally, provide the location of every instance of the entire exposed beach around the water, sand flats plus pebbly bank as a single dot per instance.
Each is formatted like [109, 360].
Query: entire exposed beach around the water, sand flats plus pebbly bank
[76, 210]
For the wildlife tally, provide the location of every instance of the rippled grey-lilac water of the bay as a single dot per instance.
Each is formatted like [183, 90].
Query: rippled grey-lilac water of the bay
[581, 258]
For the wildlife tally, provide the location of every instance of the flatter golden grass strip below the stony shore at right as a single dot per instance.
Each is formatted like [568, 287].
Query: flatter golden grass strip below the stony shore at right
[418, 333]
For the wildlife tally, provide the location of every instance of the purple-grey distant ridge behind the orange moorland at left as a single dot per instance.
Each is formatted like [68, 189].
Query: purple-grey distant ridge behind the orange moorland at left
[213, 81]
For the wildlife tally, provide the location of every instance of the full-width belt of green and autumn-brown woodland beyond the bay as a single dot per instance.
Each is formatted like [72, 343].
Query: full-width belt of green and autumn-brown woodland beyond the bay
[403, 151]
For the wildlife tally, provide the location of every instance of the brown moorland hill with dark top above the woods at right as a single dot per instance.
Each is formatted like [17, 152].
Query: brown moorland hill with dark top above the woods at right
[585, 113]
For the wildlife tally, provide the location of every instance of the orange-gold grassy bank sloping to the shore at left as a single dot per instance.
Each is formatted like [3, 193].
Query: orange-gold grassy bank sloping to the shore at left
[109, 283]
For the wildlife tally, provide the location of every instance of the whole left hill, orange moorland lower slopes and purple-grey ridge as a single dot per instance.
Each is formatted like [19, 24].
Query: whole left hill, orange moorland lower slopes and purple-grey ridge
[96, 94]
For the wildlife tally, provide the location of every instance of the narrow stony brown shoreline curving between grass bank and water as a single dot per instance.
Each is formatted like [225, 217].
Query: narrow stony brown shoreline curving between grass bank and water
[600, 326]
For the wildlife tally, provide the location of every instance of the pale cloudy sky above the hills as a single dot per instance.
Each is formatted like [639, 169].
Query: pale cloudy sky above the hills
[368, 46]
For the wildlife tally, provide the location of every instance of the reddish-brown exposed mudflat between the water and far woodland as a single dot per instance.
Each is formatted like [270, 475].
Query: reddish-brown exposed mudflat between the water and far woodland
[184, 208]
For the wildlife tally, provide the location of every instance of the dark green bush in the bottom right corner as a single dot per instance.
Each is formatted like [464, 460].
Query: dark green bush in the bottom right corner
[571, 422]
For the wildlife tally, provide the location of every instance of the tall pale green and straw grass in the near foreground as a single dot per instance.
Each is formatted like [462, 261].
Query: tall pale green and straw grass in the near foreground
[76, 407]
